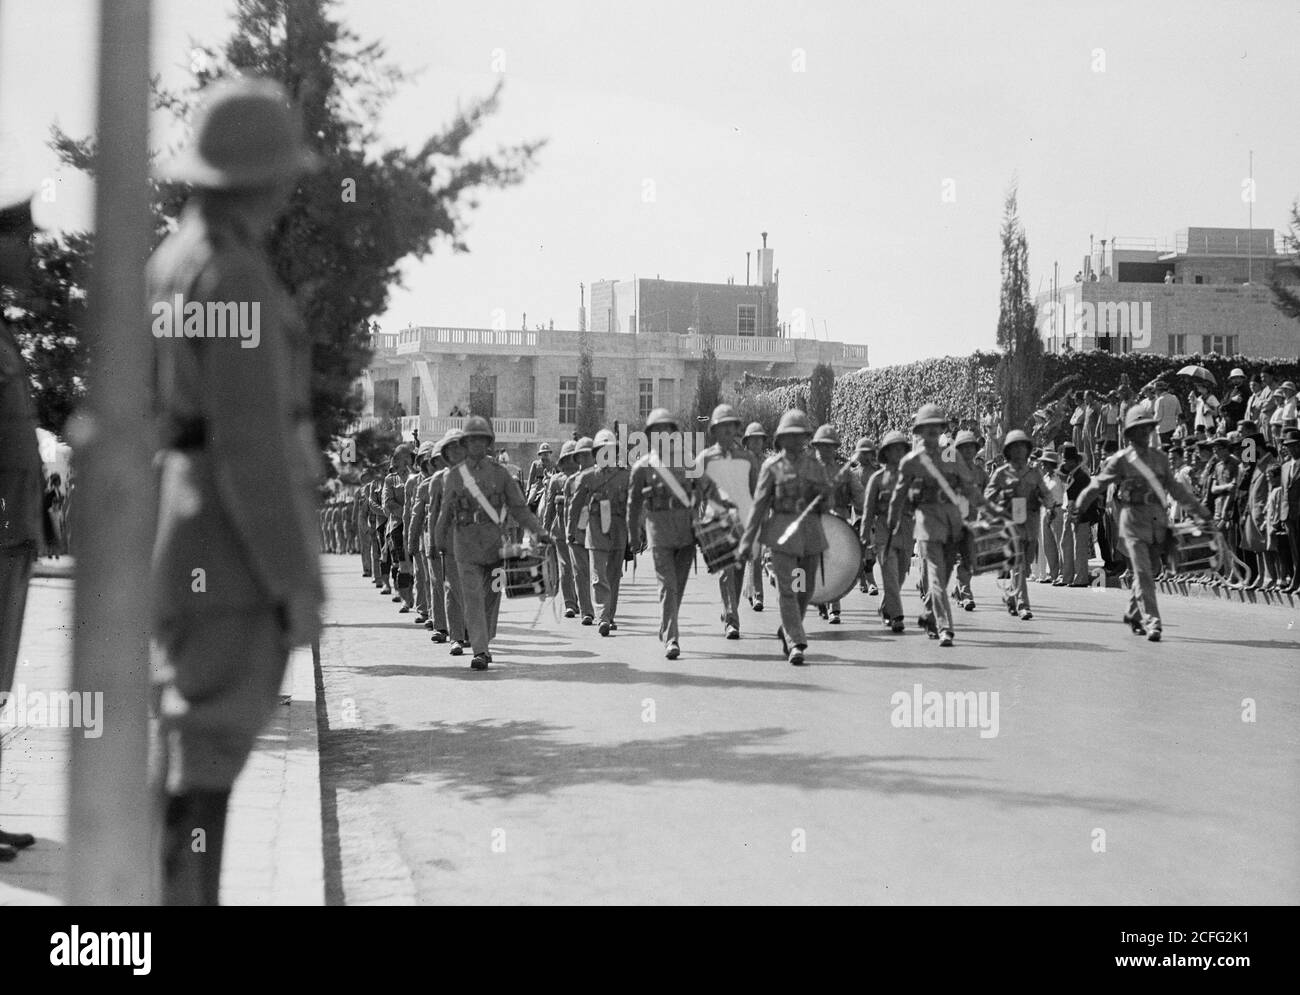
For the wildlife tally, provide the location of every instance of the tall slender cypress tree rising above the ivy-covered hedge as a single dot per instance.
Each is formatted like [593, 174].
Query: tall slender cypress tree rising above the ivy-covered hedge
[1021, 366]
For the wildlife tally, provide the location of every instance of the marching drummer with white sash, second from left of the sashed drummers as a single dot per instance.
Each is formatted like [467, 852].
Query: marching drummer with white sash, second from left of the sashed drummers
[670, 500]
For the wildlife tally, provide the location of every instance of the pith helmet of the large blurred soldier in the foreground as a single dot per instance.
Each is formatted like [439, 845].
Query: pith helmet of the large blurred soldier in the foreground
[248, 136]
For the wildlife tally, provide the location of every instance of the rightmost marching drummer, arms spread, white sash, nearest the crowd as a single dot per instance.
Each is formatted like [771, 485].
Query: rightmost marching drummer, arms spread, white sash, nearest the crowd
[1145, 484]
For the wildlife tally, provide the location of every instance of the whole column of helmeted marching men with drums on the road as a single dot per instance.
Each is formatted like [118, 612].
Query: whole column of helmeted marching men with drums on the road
[431, 526]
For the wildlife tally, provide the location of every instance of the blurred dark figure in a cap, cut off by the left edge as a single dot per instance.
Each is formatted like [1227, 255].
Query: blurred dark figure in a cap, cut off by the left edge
[21, 525]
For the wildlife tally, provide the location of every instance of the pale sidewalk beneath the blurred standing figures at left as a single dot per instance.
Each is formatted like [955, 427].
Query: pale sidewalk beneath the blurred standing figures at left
[274, 843]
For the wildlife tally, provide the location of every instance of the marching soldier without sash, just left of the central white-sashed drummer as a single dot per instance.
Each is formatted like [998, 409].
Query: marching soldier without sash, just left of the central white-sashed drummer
[604, 492]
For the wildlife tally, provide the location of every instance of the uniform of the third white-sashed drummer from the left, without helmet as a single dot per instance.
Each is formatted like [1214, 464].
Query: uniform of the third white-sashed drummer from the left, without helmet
[937, 521]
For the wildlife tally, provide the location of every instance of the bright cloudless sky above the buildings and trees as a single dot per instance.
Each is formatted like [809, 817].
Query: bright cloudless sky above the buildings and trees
[873, 142]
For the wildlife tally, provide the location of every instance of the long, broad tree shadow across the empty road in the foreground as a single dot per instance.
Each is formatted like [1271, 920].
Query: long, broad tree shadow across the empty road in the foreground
[501, 760]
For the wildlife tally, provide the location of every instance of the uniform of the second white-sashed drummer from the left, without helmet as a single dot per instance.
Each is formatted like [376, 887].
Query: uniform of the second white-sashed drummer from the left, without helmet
[669, 531]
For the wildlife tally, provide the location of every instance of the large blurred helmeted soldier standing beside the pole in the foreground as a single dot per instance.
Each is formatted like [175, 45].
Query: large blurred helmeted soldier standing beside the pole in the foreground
[232, 421]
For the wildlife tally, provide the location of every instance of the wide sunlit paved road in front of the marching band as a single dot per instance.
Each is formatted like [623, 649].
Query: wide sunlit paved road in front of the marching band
[593, 771]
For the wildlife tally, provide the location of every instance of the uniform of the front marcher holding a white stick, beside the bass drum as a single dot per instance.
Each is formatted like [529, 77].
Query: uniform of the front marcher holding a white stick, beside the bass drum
[786, 488]
